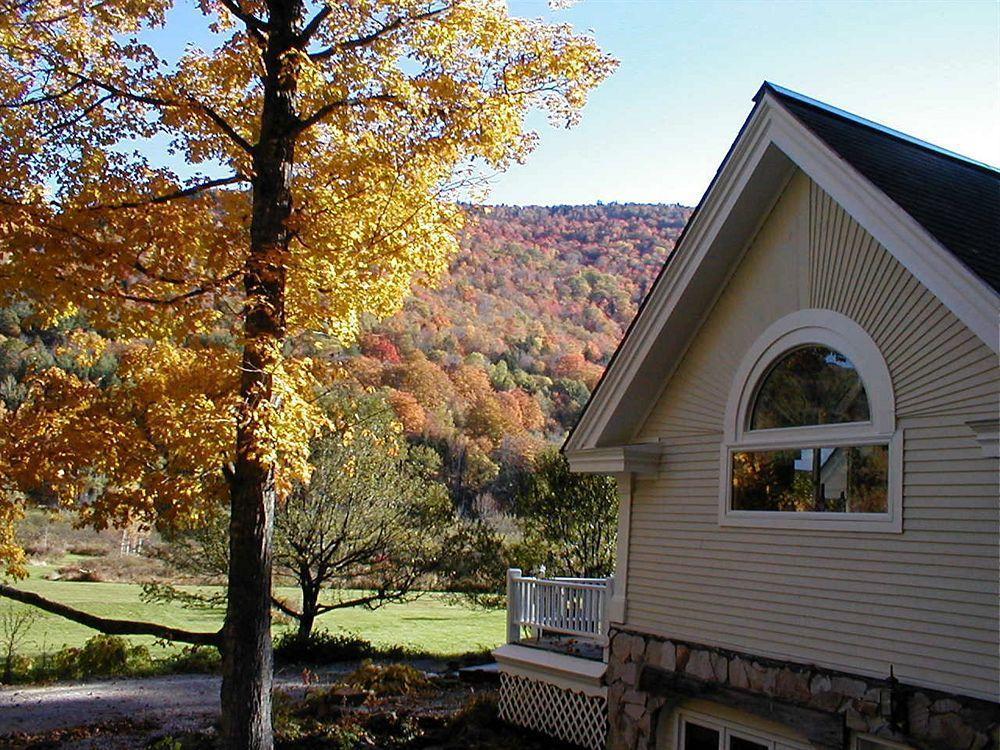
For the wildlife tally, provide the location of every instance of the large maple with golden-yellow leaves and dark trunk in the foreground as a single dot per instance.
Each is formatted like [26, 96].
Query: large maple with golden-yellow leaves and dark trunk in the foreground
[323, 148]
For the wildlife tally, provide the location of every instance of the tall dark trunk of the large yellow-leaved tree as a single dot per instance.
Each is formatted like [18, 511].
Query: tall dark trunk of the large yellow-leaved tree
[247, 658]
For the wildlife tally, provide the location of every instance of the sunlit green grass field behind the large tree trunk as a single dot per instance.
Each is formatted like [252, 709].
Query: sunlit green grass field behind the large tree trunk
[431, 624]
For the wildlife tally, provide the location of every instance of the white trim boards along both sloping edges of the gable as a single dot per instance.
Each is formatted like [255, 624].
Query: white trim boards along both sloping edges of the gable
[771, 127]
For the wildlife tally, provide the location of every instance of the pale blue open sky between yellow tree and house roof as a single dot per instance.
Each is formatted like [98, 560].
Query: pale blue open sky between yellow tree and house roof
[657, 130]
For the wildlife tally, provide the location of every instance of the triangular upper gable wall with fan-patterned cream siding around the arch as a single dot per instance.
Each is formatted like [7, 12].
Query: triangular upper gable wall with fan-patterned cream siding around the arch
[811, 253]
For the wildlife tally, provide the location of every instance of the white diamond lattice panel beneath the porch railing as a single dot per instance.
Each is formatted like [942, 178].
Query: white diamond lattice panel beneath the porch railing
[564, 714]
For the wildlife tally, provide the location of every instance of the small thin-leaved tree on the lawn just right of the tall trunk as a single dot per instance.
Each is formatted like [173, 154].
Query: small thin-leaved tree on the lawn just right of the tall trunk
[368, 525]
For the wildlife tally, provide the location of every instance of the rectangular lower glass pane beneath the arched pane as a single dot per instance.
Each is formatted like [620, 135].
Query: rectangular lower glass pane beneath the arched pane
[815, 480]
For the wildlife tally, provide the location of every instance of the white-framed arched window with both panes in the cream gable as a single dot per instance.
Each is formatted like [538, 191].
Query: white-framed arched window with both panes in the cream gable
[811, 439]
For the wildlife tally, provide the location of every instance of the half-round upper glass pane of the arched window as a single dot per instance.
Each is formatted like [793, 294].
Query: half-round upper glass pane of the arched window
[808, 386]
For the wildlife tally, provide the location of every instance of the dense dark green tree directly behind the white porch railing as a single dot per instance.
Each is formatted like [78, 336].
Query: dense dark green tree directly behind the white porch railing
[570, 519]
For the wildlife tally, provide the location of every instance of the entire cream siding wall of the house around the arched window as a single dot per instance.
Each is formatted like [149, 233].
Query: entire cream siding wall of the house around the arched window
[925, 601]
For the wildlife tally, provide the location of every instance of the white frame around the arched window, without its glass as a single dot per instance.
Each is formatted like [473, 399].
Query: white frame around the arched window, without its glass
[840, 333]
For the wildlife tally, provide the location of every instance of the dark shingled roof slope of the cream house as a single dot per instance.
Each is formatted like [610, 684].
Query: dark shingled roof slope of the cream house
[954, 198]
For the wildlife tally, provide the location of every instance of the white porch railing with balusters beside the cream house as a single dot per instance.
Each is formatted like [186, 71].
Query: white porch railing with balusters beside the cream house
[564, 606]
